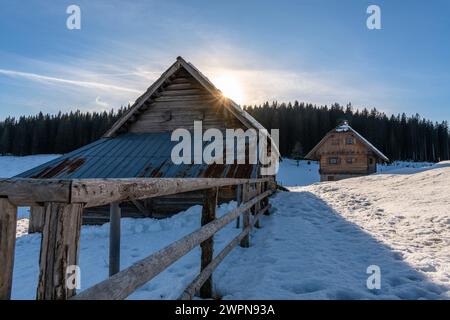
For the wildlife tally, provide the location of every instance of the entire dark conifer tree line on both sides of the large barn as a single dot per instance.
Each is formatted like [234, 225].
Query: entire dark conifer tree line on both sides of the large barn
[301, 125]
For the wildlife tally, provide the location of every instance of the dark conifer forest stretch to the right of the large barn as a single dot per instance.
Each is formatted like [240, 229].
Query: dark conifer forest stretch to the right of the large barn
[399, 137]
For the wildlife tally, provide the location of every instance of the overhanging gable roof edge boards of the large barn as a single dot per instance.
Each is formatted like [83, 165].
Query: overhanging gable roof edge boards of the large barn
[144, 100]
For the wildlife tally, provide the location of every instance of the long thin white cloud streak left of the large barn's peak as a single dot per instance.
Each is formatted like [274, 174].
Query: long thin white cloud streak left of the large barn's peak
[84, 84]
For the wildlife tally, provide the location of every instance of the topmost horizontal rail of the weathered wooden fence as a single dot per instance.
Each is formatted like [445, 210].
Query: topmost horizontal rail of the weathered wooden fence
[97, 192]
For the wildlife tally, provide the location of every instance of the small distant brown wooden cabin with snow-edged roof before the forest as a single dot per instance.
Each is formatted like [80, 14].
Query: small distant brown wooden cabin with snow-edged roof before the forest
[344, 153]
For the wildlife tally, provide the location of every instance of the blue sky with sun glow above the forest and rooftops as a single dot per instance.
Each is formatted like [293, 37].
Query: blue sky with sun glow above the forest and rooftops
[315, 51]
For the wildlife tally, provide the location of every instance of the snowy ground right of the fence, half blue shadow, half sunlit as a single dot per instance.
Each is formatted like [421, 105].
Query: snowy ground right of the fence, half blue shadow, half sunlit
[321, 239]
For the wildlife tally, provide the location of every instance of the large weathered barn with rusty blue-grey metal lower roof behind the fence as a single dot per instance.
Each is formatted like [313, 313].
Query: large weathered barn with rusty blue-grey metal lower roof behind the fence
[139, 144]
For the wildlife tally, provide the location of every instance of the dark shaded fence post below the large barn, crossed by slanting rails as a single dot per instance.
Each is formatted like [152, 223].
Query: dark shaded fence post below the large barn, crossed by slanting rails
[207, 246]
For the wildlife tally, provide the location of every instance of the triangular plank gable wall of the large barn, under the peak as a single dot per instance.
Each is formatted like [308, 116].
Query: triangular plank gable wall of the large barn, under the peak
[179, 104]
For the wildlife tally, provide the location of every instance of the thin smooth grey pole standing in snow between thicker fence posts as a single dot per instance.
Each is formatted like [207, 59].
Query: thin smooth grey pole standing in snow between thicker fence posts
[114, 238]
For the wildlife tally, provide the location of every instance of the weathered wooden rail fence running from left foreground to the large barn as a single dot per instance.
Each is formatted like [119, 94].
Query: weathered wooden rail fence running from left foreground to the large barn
[63, 202]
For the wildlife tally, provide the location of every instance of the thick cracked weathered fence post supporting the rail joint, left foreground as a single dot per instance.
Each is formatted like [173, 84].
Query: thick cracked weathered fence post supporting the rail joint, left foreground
[59, 250]
